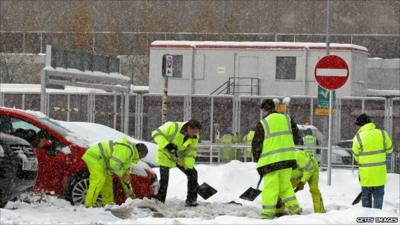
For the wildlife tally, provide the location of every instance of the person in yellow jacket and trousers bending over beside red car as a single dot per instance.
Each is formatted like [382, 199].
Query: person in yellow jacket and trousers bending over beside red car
[105, 159]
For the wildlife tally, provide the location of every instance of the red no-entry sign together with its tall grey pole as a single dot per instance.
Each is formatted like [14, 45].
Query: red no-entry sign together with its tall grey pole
[331, 72]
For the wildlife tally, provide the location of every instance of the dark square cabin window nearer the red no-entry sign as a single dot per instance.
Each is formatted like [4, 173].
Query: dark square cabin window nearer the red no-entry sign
[285, 68]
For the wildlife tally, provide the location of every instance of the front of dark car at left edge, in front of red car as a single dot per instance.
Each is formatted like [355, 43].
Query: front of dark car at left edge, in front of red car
[18, 166]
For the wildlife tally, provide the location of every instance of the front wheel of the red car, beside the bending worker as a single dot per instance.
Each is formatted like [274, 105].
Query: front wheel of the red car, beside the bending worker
[77, 189]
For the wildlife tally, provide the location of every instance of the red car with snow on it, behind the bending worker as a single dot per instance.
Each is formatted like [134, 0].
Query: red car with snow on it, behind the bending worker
[61, 171]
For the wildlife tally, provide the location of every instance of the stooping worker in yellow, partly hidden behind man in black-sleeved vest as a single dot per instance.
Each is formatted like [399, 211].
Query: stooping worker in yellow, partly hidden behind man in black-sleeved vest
[307, 171]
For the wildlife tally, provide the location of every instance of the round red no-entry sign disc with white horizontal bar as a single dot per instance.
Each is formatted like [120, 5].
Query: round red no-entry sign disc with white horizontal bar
[331, 72]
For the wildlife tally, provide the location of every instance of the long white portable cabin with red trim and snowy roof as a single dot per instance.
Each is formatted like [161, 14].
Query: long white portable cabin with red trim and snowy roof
[251, 68]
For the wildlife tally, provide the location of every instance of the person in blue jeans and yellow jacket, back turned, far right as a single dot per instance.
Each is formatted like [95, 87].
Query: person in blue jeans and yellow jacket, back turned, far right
[370, 148]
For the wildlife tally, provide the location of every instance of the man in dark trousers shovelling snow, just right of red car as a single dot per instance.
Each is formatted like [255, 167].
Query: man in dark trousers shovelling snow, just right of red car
[177, 143]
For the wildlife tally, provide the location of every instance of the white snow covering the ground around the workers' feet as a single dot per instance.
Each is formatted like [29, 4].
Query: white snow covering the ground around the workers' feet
[230, 180]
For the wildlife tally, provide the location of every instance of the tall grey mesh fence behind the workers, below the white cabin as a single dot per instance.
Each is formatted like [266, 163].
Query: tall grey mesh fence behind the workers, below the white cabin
[219, 115]
